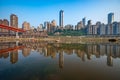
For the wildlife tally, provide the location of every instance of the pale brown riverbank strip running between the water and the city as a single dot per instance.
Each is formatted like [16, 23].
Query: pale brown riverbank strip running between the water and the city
[62, 39]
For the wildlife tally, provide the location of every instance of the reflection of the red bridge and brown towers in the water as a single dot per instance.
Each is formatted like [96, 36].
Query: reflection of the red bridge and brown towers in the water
[10, 49]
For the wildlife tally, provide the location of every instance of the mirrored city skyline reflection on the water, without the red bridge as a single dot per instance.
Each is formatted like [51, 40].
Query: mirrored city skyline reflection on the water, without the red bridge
[84, 51]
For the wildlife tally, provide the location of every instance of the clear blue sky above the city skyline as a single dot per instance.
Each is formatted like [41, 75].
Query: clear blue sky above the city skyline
[38, 11]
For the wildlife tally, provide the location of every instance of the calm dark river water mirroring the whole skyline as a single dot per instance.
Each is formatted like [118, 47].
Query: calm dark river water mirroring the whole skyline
[54, 61]
